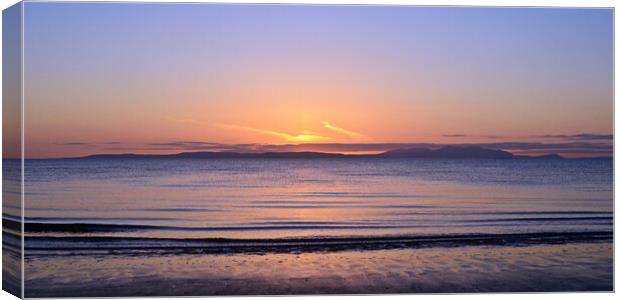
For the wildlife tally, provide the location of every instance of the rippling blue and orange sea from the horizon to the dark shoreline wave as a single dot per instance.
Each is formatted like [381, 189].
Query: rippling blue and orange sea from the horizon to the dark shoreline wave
[314, 198]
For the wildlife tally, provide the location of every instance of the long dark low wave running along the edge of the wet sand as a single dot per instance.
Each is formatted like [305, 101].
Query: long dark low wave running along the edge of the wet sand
[115, 245]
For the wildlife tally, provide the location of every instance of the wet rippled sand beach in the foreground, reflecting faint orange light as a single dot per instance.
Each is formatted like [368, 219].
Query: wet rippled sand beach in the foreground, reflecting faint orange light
[566, 267]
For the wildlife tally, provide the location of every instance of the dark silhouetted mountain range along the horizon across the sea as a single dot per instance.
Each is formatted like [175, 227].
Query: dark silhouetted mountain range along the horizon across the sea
[460, 152]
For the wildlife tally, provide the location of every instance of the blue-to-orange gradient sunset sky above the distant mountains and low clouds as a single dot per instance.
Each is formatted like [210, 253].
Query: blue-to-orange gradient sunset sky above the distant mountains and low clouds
[119, 77]
